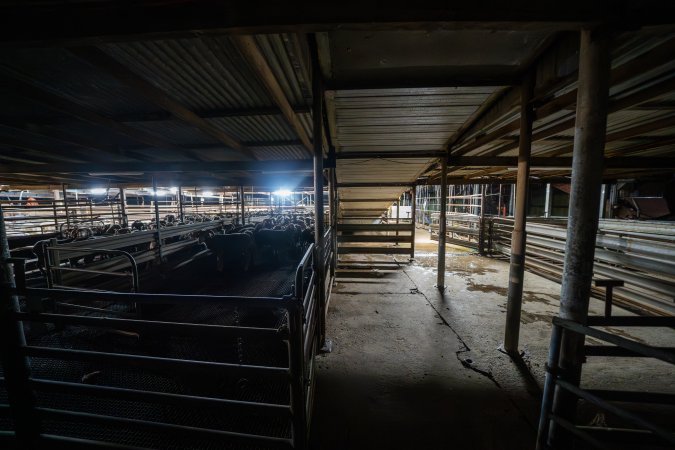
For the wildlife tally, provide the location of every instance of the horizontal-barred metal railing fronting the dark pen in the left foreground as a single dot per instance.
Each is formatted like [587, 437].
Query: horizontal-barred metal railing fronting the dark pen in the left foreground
[34, 418]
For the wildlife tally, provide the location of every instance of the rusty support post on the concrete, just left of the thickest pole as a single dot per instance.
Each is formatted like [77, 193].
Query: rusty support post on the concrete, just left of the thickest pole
[518, 238]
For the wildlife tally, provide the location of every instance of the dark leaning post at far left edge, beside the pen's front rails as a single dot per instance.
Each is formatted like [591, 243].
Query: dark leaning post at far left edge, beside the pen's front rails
[16, 367]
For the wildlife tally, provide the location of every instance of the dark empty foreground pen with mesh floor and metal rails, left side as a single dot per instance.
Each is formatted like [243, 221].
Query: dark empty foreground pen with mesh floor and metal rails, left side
[162, 370]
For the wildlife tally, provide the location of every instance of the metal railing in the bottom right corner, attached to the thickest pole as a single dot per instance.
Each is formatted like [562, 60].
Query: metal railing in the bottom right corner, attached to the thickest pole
[644, 431]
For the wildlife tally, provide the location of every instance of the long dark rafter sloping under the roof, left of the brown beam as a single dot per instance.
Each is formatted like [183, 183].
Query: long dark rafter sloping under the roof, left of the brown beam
[150, 92]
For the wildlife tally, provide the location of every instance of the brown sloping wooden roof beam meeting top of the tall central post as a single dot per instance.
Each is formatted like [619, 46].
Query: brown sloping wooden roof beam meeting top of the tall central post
[258, 63]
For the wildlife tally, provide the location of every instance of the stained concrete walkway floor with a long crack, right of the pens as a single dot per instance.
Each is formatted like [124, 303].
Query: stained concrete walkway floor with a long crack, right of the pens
[416, 368]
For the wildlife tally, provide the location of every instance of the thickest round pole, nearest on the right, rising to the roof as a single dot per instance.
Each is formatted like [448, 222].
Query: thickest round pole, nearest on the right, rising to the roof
[582, 228]
